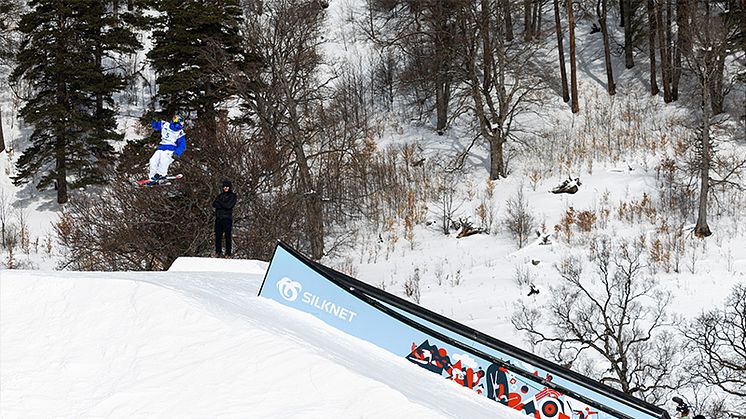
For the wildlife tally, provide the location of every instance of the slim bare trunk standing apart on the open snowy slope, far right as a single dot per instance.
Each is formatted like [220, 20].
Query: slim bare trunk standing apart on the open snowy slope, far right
[702, 229]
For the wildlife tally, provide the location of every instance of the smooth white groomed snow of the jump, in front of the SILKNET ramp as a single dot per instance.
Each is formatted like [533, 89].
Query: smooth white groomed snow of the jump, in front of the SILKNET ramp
[196, 342]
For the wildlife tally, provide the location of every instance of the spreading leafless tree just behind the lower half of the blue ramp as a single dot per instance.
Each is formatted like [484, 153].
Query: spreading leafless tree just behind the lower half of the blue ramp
[617, 313]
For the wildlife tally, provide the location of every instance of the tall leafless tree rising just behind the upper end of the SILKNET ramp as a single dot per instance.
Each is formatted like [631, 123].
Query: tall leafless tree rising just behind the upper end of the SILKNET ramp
[289, 99]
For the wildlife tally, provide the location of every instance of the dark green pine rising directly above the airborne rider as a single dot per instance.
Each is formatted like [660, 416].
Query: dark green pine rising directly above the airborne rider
[196, 42]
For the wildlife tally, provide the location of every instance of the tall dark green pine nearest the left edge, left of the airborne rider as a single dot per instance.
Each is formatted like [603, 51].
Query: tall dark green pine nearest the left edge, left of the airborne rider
[61, 56]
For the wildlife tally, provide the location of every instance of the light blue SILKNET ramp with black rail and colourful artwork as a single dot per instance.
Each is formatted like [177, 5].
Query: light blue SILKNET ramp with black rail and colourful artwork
[504, 373]
